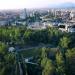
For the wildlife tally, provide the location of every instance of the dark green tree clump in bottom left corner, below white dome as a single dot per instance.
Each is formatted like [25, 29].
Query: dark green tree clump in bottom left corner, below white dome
[6, 60]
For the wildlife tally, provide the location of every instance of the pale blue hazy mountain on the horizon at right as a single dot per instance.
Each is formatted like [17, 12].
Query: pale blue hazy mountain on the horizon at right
[64, 5]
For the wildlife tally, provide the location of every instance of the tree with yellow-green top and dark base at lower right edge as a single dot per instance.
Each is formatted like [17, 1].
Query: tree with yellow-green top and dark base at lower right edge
[70, 61]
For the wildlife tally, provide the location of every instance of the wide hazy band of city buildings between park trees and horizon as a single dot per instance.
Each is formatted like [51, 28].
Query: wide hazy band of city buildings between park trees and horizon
[64, 19]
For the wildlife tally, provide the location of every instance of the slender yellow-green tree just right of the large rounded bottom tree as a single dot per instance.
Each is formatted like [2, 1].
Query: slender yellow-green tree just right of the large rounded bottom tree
[60, 69]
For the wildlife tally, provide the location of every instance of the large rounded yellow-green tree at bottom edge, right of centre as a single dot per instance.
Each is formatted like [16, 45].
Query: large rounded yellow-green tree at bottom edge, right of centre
[48, 67]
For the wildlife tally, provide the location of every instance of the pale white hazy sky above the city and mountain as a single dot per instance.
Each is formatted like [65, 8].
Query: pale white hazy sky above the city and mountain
[11, 4]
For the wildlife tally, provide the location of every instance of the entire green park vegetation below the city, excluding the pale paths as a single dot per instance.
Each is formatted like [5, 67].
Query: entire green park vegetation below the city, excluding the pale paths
[52, 62]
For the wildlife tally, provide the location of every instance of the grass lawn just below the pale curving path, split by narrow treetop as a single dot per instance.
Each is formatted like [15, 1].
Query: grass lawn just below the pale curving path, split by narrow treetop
[35, 52]
